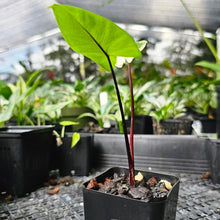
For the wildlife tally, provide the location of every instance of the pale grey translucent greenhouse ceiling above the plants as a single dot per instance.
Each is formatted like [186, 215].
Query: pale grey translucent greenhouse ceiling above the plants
[23, 21]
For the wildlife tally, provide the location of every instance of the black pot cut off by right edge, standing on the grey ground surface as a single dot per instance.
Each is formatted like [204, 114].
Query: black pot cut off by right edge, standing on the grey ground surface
[213, 155]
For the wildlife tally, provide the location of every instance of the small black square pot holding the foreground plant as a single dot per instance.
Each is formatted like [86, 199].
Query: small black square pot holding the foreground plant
[99, 205]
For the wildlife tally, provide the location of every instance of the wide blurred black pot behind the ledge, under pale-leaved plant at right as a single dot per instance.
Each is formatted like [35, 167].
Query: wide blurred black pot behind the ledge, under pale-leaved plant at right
[173, 126]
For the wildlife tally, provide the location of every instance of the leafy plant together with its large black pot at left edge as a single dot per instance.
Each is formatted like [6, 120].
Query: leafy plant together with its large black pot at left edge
[24, 150]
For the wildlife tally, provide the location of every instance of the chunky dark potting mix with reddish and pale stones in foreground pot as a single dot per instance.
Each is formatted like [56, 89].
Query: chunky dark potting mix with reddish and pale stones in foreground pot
[145, 190]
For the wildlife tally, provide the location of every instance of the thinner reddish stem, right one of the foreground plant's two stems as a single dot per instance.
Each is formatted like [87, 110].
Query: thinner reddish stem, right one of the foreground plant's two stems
[132, 114]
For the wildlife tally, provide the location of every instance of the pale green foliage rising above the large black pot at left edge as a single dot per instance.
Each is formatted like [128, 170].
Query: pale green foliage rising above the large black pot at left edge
[24, 103]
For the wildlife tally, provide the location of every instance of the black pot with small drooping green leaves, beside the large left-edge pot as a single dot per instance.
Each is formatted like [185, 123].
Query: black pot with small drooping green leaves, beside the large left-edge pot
[78, 159]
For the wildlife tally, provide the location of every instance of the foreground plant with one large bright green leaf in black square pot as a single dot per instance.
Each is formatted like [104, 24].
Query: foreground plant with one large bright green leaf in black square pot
[101, 40]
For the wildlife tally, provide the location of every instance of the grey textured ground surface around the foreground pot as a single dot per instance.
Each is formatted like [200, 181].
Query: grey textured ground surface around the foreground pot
[198, 199]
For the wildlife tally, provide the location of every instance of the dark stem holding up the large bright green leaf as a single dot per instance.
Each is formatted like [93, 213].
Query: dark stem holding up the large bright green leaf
[129, 154]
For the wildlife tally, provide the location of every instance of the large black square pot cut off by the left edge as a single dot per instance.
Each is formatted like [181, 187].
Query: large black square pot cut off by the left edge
[24, 158]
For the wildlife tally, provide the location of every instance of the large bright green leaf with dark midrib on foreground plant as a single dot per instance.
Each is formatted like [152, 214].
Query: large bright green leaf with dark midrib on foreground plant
[94, 36]
